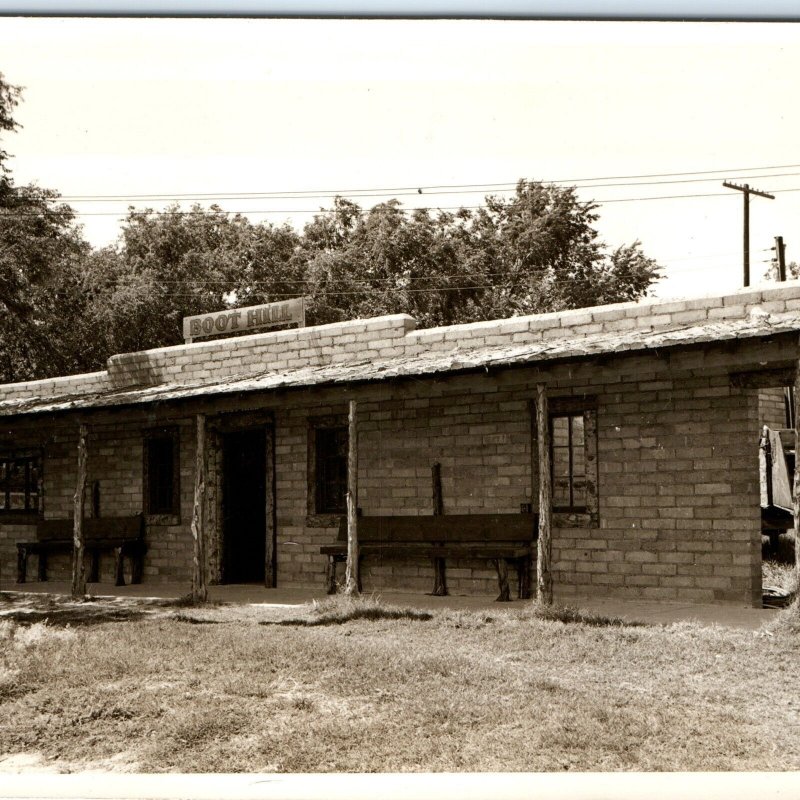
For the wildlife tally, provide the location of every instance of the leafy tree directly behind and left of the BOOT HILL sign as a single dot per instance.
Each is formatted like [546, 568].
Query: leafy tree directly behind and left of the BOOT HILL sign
[176, 263]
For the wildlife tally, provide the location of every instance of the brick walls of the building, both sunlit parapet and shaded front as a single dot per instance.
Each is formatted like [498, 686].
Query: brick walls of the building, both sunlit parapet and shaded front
[678, 481]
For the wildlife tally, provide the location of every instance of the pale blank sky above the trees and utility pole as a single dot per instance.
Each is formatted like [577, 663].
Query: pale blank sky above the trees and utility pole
[153, 111]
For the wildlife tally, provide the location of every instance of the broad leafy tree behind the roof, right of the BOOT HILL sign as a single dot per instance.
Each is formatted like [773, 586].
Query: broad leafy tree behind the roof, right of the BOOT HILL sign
[533, 253]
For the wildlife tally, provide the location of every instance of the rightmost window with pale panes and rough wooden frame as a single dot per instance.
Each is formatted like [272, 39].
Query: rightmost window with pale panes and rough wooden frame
[573, 460]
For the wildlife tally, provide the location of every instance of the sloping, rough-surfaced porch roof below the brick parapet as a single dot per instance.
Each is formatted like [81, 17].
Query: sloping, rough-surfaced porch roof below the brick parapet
[458, 360]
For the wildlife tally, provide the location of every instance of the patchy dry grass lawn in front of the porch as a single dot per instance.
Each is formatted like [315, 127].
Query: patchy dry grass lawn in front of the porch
[354, 685]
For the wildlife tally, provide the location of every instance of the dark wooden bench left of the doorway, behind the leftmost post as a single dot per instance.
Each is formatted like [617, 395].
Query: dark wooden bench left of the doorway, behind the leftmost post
[124, 536]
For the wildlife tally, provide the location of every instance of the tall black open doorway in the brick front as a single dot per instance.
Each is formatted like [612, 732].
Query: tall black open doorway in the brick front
[244, 506]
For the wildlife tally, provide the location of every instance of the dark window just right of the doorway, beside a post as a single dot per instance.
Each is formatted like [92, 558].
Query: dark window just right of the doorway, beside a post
[328, 444]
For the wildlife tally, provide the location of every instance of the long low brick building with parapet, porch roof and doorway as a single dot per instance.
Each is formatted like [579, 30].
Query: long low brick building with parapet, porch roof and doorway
[655, 410]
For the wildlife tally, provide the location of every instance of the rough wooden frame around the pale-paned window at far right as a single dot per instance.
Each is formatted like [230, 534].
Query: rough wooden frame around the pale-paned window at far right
[580, 516]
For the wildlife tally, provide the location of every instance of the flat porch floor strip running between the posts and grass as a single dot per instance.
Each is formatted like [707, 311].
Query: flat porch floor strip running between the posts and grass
[653, 612]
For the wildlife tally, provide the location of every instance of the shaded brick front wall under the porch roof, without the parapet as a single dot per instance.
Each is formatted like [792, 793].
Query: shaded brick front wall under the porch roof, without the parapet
[678, 480]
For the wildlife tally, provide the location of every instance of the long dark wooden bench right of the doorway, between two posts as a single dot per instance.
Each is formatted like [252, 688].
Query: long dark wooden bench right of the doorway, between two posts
[502, 538]
